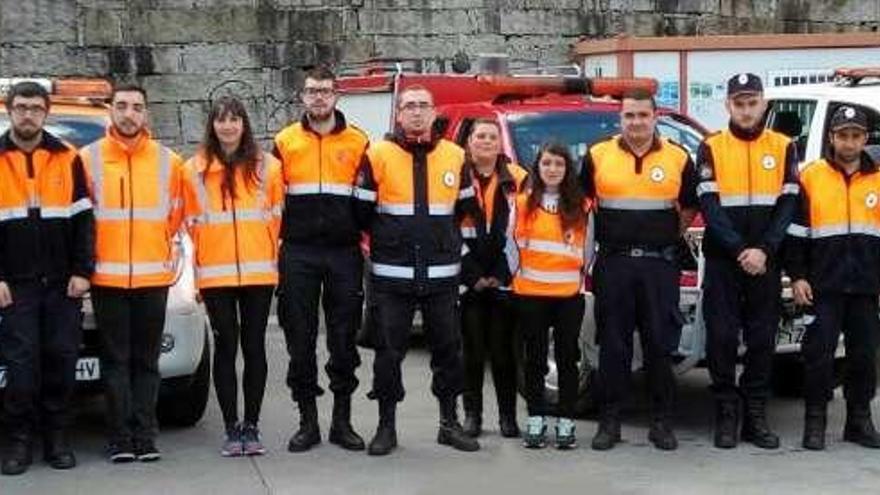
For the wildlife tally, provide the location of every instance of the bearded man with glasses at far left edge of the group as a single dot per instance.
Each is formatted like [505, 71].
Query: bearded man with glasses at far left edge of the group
[46, 259]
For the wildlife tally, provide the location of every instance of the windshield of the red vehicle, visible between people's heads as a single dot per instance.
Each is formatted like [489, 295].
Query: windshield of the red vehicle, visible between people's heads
[578, 130]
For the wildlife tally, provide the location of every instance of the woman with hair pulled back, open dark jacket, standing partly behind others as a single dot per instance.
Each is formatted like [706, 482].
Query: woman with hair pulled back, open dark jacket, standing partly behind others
[486, 313]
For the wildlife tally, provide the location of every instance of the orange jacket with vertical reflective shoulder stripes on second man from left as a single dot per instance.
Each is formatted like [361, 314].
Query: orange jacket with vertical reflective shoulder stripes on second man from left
[138, 197]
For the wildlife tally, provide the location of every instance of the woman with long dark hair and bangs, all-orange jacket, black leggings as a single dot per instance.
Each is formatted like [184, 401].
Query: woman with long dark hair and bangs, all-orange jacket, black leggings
[235, 230]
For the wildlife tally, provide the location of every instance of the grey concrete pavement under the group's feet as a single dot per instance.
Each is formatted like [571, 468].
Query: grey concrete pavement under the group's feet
[420, 466]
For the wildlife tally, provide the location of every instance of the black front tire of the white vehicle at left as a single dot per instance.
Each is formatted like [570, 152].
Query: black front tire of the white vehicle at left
[182, 400]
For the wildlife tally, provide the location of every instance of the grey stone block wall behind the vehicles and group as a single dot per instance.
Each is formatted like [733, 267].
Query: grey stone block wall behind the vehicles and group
[186, 51]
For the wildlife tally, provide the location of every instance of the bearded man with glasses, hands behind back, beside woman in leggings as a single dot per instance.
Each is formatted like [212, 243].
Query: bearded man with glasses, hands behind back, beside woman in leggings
[320, 254]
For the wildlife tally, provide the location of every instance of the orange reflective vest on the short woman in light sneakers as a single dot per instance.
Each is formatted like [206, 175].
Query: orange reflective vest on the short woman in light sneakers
[544, 260]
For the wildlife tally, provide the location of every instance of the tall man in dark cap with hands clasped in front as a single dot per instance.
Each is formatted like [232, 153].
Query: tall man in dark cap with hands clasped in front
[748, 193]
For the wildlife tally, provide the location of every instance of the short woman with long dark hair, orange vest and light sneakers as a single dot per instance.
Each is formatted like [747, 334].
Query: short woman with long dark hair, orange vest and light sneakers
[548, 252]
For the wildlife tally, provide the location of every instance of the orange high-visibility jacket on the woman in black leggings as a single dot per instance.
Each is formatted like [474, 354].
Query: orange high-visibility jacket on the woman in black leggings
[235, 239]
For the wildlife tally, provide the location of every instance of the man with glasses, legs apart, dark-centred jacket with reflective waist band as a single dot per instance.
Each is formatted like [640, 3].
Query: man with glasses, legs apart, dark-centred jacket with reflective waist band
[410, 189]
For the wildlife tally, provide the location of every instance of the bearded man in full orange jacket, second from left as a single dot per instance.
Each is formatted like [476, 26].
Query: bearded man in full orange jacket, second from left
[137, 186]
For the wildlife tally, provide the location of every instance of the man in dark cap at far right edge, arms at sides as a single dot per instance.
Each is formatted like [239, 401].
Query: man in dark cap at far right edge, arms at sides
[833, 257]
